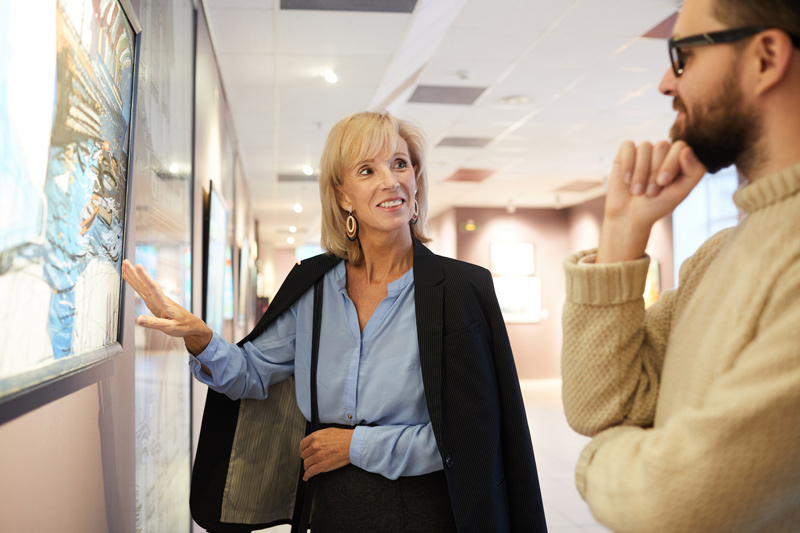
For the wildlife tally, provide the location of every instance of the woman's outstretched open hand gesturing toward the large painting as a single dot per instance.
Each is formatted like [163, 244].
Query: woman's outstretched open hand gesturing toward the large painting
[168, 316]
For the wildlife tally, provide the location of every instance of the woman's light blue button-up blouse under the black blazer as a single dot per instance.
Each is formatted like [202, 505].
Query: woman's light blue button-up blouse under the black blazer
[369, 377]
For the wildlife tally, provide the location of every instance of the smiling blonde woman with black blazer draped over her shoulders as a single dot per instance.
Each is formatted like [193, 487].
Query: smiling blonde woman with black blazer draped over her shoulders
[410, 413]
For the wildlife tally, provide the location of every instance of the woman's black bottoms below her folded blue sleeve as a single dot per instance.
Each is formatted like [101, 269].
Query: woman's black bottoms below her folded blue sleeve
[352, 500]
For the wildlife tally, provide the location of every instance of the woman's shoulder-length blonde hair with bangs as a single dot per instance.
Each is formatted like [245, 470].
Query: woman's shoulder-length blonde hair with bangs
[356, 138]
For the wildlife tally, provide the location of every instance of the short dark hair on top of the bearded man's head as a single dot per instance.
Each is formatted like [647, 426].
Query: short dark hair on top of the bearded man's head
[782, 14]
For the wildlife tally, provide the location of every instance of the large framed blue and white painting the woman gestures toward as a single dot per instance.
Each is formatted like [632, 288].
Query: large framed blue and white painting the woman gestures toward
[67, 83]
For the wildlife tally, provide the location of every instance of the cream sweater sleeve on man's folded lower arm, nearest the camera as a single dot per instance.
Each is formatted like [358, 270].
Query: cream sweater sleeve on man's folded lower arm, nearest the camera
[740, 445]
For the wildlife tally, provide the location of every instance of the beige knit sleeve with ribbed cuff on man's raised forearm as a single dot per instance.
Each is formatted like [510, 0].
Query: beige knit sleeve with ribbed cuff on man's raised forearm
[613, 350]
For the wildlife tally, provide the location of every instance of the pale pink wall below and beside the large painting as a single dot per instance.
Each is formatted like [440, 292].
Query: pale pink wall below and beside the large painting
[67, 449]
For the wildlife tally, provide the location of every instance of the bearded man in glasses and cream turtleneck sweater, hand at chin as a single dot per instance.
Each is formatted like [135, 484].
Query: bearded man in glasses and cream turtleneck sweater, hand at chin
[694, 404]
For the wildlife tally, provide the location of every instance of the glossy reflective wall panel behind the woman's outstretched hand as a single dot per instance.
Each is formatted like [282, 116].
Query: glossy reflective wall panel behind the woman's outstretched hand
[163, 183]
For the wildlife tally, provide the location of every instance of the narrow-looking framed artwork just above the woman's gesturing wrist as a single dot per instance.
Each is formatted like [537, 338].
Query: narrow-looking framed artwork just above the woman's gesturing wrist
[216, 253]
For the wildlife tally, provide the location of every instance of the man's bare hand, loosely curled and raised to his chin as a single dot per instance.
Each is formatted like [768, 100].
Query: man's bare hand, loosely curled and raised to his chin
[646, 183]
